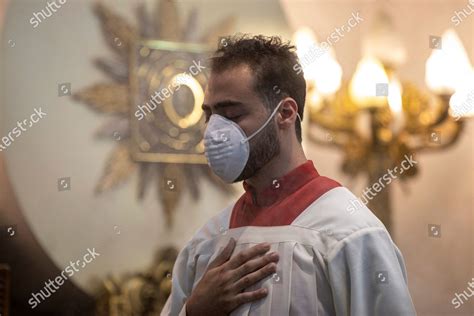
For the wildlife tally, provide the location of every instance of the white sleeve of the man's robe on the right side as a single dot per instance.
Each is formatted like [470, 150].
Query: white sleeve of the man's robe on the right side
[368, 277]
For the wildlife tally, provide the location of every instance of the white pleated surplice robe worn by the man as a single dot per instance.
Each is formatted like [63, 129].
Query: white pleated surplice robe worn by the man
[332, 262]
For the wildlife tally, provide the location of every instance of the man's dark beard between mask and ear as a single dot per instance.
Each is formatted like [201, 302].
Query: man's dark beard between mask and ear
[263, 148]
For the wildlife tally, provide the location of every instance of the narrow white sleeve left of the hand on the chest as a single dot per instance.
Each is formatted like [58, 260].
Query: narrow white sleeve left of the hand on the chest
[182, 282]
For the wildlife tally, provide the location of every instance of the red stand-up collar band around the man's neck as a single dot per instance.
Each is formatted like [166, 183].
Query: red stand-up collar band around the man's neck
[281, 187]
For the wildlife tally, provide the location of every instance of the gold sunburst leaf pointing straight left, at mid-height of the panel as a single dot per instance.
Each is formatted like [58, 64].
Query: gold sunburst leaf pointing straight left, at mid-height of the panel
[106, 98]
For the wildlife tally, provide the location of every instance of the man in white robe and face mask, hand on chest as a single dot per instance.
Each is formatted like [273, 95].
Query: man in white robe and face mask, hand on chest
[323, 259]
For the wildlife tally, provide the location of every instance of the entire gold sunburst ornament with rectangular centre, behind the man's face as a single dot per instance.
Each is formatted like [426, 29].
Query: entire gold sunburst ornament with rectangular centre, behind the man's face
[153, 101]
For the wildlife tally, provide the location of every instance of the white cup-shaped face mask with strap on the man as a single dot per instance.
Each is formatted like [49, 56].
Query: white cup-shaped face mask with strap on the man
[227, 147]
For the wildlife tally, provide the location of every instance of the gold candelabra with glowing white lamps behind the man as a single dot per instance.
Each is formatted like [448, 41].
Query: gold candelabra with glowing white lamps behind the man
[378, 121]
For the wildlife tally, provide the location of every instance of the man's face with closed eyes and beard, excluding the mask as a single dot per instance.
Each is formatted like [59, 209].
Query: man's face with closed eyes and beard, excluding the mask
[230, 94]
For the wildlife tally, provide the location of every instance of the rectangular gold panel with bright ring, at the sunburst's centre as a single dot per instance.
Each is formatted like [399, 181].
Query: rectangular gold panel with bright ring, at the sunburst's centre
[169, 78]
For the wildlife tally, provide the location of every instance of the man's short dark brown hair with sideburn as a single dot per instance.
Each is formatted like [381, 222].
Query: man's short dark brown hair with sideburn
[272, 63]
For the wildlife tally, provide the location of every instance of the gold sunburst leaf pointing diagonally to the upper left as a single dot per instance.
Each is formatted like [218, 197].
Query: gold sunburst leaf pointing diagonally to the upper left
[119, 34]
